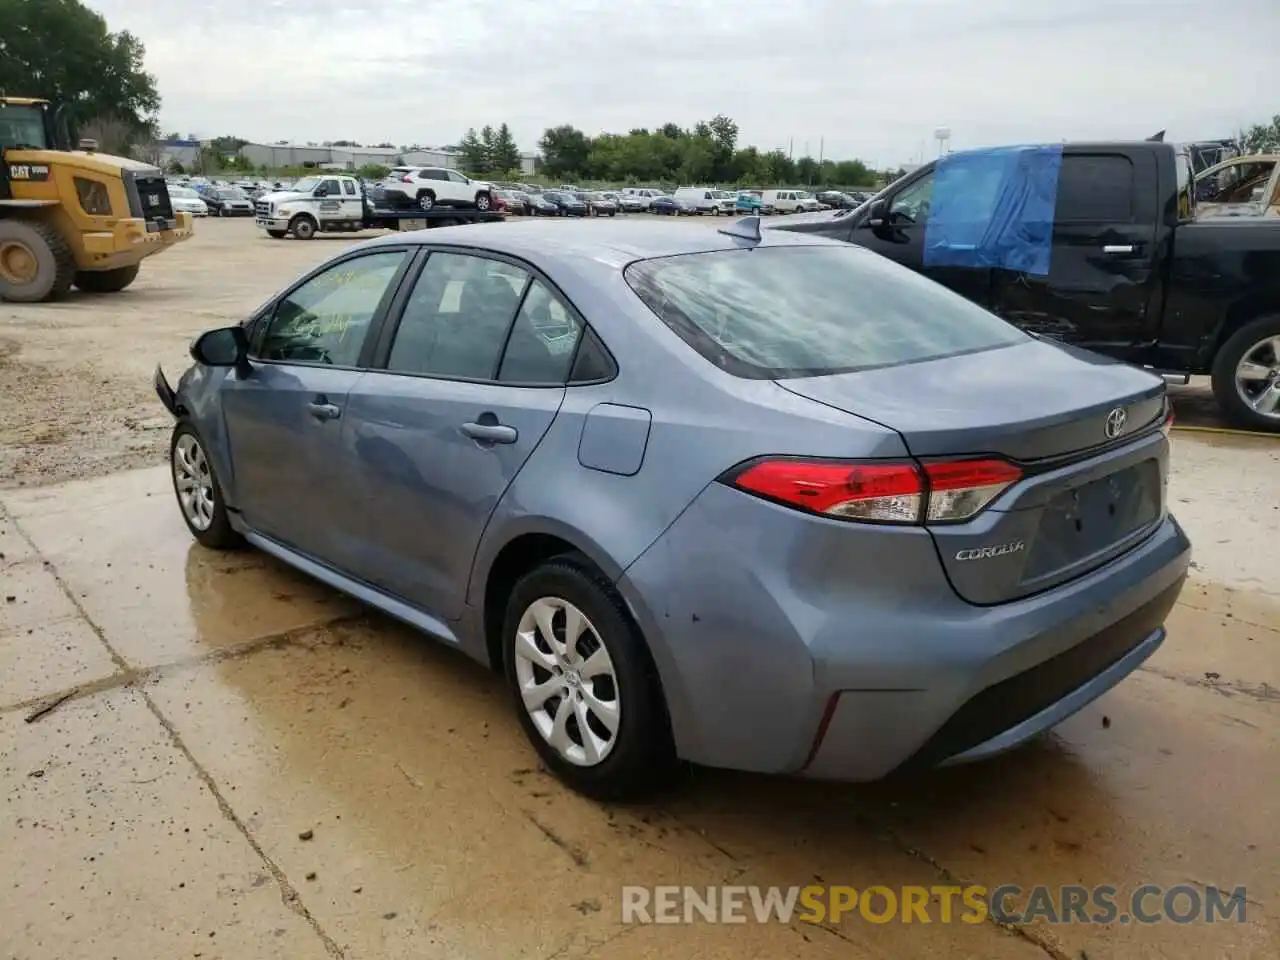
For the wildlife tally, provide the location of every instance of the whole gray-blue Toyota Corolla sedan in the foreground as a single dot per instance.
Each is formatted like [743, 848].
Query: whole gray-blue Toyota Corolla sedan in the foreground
[778, 505]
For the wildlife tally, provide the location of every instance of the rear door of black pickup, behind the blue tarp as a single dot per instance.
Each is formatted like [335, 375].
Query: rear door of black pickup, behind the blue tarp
[1103, 267]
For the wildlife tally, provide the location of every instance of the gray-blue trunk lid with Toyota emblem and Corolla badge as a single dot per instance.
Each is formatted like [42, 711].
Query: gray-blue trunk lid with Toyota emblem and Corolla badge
[1089, 492]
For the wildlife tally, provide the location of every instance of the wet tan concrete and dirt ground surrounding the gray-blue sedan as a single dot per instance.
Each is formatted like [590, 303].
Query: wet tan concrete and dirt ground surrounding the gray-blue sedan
[209, 756]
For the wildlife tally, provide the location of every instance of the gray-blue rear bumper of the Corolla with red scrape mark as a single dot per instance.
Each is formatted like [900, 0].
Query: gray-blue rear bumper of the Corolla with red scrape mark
[816, 657]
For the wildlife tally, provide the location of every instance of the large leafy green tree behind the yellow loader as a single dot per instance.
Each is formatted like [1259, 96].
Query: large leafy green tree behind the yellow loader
[63, 52]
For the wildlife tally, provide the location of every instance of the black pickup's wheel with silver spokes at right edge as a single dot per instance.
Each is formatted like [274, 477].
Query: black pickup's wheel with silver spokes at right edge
[1247, 376]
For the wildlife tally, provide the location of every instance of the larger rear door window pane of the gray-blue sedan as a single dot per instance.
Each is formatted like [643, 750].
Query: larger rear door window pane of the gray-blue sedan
[458, 317]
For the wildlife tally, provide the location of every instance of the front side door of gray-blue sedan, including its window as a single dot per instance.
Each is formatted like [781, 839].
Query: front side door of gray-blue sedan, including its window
[285, 414]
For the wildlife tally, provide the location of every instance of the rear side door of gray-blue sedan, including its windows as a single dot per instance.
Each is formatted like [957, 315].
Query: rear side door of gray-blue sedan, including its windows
[474, 376]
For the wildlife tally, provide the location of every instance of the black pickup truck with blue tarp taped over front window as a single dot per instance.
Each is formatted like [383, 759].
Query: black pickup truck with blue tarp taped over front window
[1126, 271]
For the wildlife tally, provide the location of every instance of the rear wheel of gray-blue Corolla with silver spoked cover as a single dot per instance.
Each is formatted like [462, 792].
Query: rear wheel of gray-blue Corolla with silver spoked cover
[639, 757]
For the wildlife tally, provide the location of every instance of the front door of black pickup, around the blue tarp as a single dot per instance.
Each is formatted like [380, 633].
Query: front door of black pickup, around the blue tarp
[899, 235]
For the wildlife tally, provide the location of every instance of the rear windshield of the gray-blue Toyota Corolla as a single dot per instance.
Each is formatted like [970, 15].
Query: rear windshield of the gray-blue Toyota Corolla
[810, 312]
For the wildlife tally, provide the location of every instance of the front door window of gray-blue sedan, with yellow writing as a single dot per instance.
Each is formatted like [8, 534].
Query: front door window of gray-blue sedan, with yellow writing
[326, 319]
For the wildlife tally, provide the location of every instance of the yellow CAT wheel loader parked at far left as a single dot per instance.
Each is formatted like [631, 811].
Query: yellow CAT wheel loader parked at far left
[74, 217]
